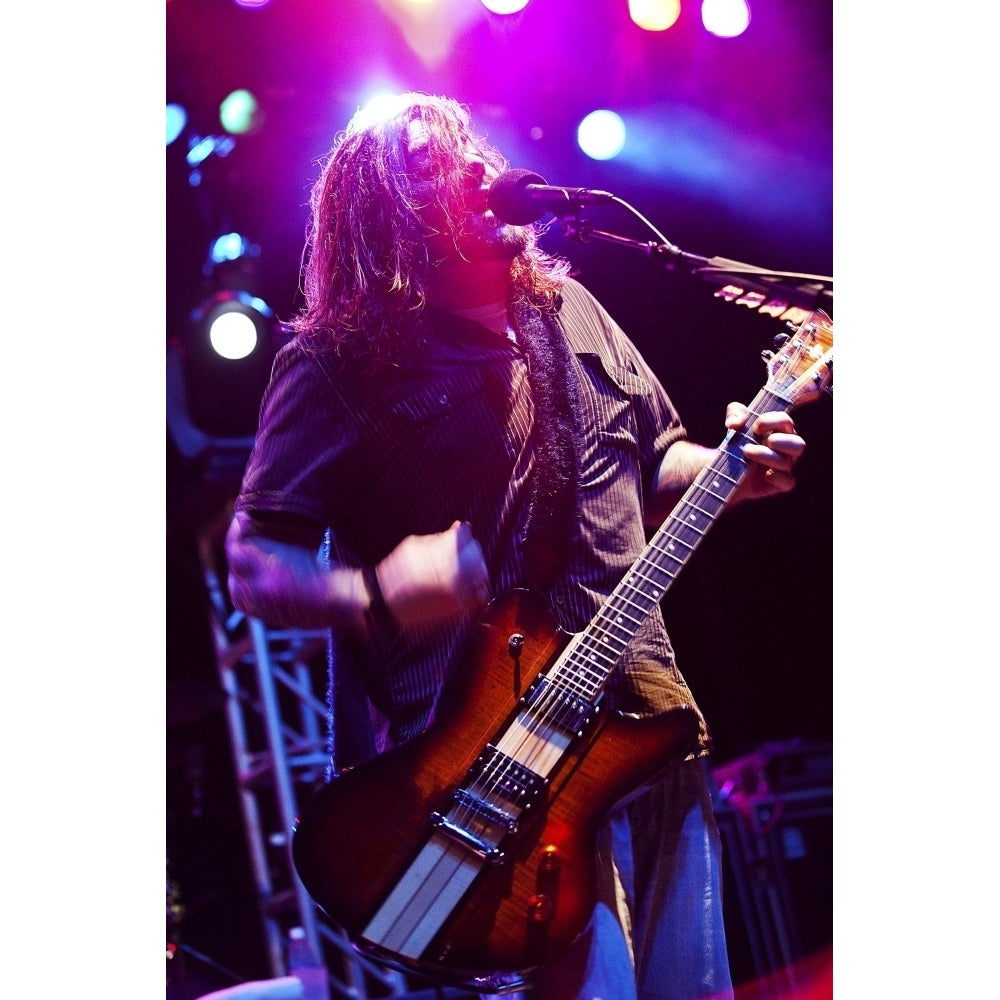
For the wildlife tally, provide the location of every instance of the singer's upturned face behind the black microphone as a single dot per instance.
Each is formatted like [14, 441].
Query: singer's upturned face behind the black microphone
[458, 221]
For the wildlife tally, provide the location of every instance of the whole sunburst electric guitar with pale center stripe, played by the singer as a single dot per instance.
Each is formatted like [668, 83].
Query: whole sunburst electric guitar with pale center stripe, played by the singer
[468, 855]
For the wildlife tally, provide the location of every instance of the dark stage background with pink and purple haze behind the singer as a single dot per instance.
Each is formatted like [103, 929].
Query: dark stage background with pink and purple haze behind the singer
[751, 617]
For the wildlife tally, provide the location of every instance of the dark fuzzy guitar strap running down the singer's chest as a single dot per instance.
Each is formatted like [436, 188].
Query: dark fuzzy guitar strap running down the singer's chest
[553, 494]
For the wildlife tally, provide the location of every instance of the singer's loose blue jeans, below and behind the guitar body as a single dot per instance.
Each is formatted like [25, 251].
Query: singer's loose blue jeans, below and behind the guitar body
[657, 932]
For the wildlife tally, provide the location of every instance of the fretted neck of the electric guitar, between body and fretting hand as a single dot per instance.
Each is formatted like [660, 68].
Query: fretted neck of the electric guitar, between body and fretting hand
[588, 661]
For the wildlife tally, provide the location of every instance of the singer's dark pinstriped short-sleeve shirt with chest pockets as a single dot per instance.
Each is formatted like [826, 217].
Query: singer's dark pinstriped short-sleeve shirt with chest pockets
[370, 458]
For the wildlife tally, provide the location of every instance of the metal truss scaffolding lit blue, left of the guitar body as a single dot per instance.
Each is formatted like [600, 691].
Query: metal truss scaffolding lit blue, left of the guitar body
[275, 688]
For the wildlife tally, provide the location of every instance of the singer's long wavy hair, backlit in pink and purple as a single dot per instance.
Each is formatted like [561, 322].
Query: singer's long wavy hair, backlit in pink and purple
[366, 261]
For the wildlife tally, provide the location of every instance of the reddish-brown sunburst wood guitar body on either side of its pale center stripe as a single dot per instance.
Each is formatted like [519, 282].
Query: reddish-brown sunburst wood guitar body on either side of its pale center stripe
[361, 832]
